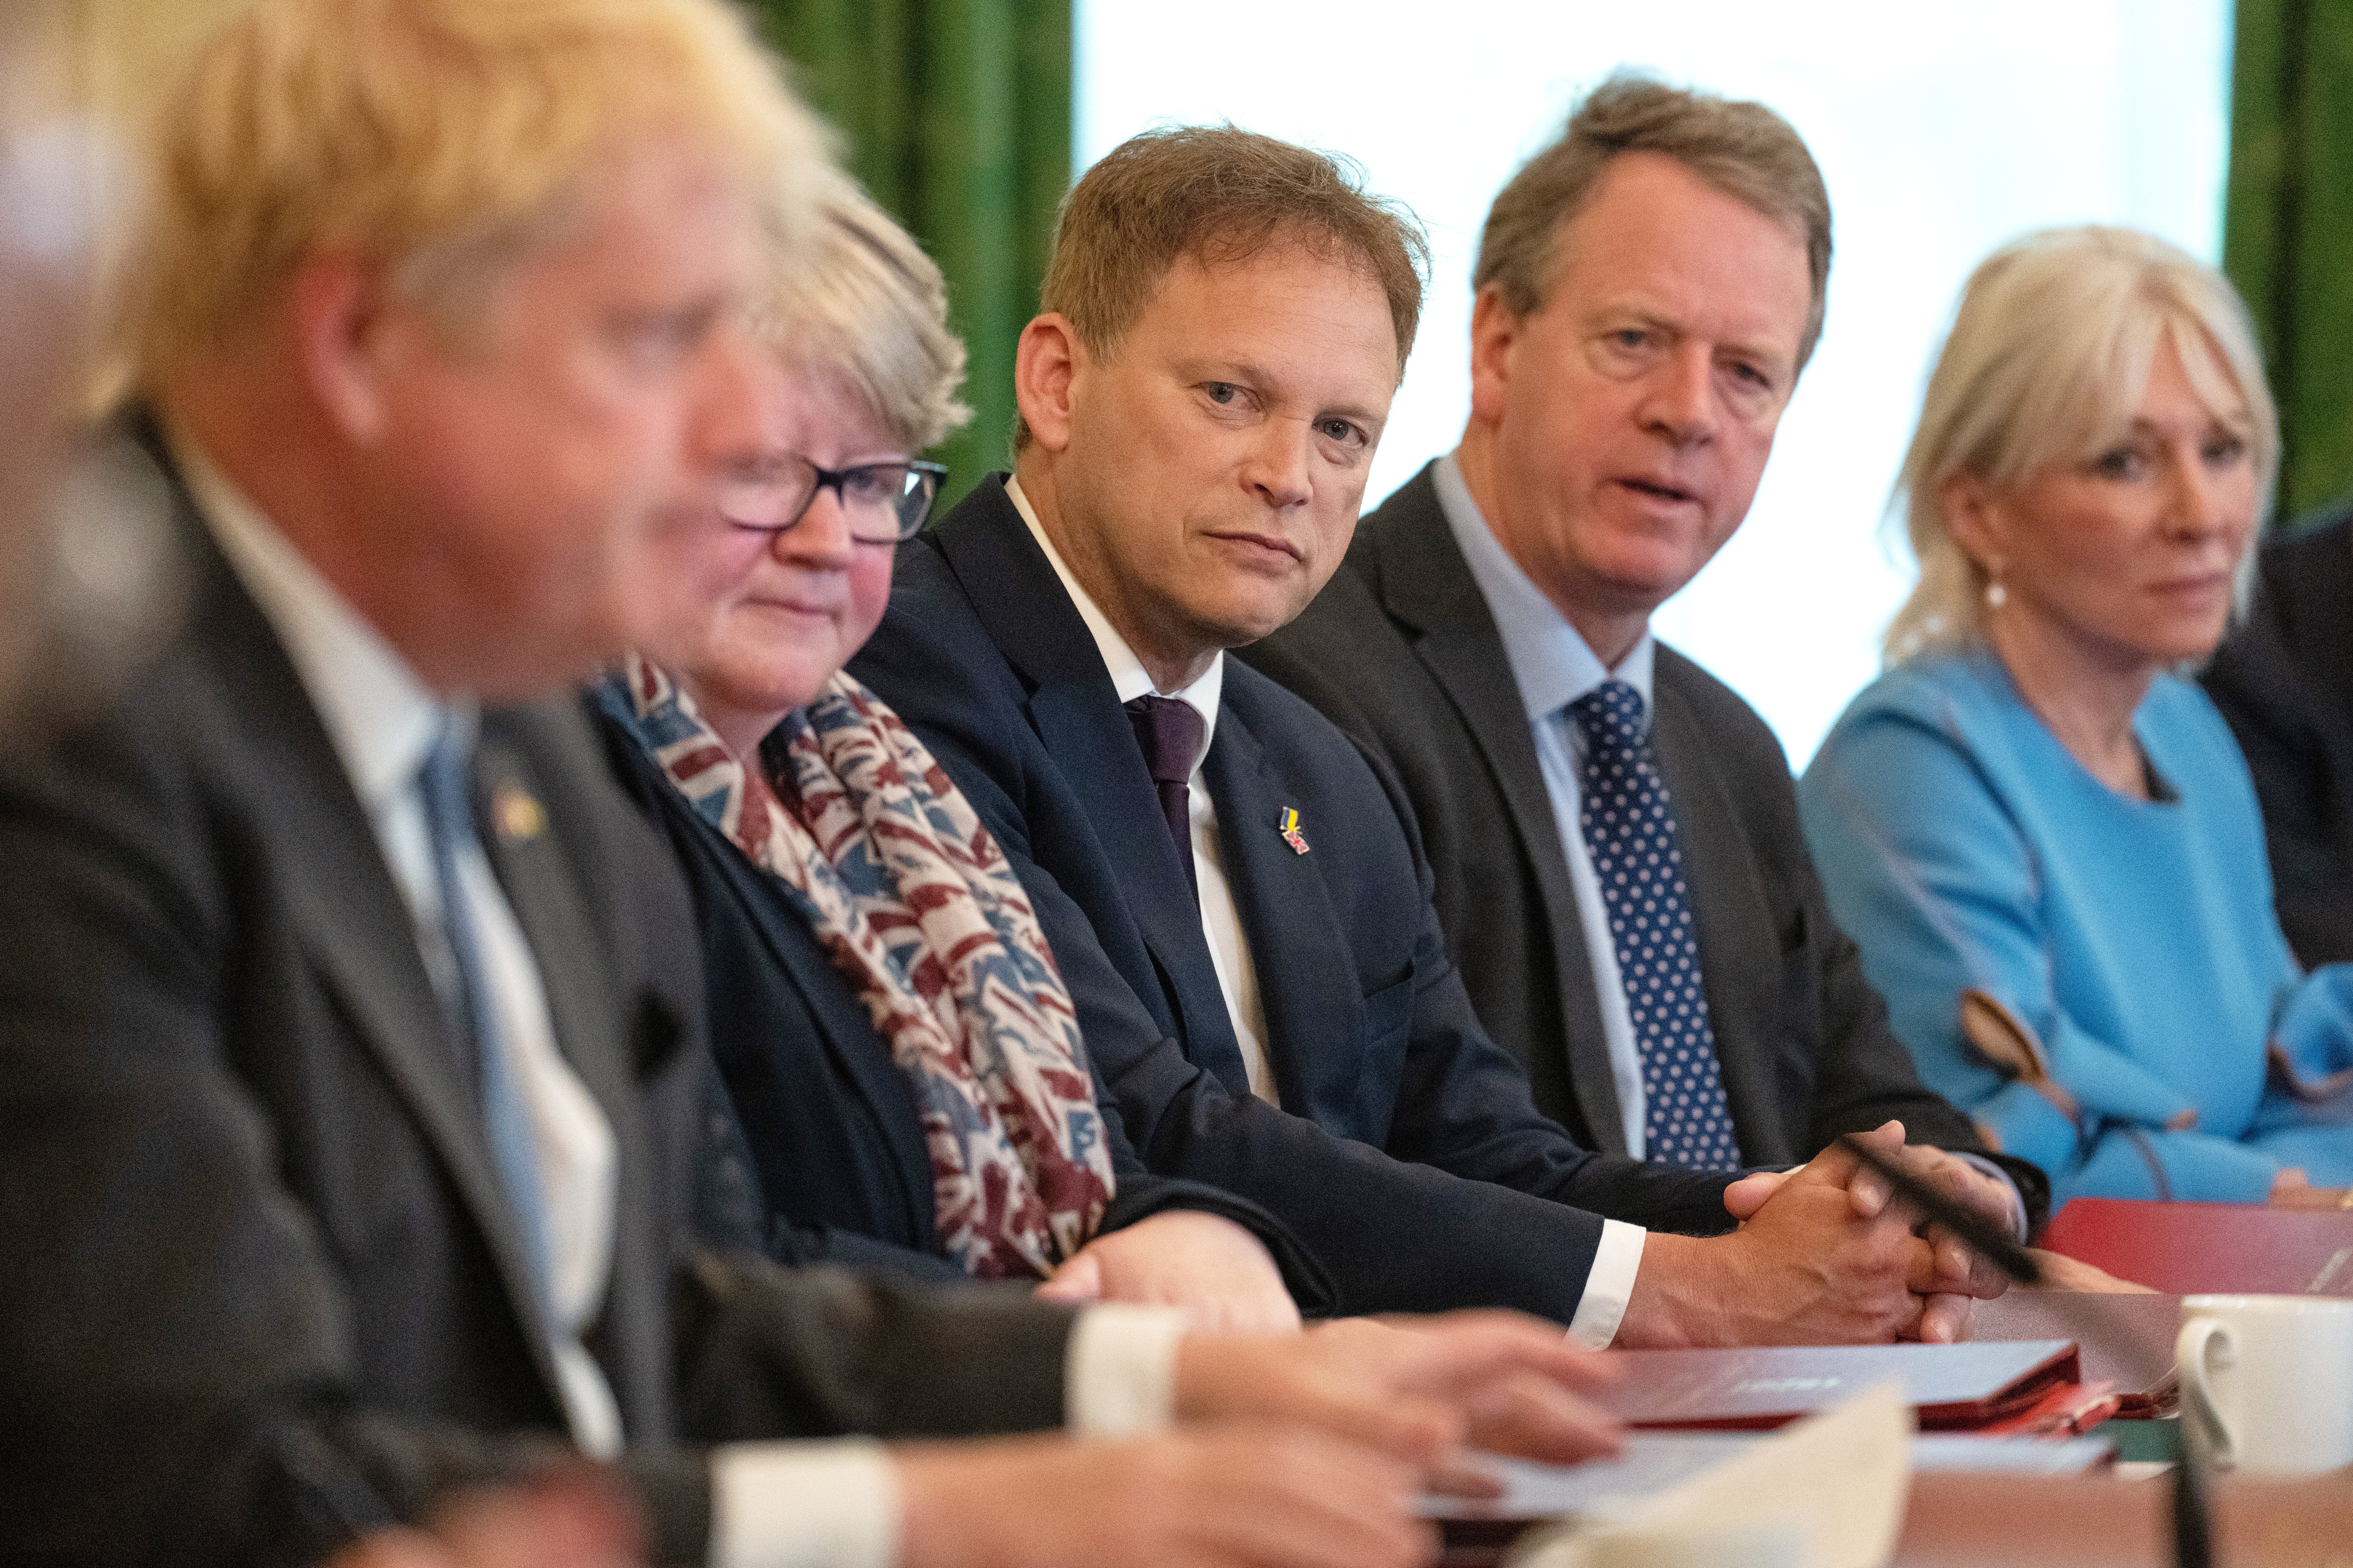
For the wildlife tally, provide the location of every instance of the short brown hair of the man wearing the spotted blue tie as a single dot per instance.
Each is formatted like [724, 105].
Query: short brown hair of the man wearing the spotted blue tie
[1742, 149]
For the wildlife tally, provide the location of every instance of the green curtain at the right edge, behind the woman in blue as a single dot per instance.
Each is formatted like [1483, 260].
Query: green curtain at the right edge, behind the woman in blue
[2288, 232]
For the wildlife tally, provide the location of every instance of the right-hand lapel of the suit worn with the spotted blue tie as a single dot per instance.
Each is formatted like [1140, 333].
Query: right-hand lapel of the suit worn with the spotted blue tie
[1740, 956]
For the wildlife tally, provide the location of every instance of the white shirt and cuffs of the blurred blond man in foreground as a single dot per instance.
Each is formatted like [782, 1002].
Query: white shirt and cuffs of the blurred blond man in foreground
[775, 1506]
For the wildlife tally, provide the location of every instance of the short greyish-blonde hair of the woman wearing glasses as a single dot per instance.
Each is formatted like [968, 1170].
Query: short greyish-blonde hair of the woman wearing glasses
[862, 304]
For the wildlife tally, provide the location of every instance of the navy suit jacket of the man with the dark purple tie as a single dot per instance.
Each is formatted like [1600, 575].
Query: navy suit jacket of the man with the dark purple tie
[1415, 1165]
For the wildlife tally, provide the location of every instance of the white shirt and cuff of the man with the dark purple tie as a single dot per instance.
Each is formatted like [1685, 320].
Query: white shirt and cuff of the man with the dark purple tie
[1620, 1257]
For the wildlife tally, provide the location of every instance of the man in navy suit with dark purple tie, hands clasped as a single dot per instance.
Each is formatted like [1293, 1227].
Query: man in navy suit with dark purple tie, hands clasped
[1232, 887]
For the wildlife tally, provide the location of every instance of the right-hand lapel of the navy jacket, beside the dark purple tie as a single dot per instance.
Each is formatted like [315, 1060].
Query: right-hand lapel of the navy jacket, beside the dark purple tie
[1314, 1014]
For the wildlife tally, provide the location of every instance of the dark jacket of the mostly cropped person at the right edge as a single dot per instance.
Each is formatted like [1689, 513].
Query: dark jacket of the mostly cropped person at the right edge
[2286, 685]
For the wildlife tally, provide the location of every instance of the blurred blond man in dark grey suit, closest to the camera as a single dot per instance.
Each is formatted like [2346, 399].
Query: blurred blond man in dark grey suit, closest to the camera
[349, 1066]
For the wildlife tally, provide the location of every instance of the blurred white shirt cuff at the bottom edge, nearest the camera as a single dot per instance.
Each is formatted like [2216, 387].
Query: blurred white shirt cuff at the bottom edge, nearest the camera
[804, 1506]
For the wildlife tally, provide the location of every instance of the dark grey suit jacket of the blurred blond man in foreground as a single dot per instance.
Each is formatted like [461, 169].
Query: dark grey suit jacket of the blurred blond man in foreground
[260, 1280]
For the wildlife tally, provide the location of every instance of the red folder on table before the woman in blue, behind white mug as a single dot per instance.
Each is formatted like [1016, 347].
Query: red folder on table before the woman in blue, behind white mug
[2187, 1249]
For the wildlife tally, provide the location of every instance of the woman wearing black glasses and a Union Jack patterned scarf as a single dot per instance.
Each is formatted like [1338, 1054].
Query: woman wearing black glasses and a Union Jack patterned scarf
[895, 1043]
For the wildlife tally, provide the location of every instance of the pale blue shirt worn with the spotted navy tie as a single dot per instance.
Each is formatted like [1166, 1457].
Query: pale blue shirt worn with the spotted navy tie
[1552, 669]
